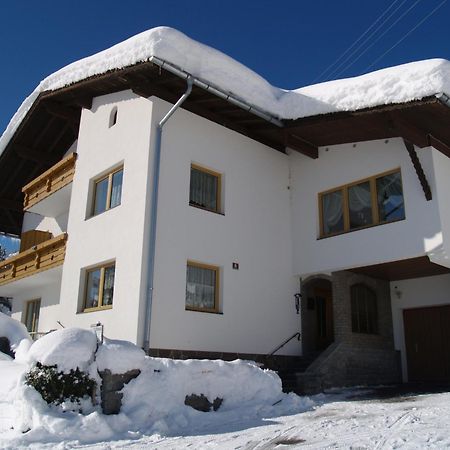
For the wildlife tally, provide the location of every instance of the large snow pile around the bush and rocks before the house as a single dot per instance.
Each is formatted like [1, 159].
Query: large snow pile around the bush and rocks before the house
[153, 402]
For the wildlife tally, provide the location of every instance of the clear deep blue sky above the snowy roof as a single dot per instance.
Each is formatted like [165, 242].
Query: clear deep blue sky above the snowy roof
[290, 43]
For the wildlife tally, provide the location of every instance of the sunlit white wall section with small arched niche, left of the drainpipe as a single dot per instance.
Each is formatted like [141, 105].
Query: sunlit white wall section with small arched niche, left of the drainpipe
[116, 234]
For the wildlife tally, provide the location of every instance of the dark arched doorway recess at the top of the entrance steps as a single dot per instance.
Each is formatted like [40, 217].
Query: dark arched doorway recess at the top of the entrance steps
[317, 315]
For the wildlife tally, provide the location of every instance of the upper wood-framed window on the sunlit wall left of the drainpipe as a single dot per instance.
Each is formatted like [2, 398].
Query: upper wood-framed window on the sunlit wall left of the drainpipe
[108, 192]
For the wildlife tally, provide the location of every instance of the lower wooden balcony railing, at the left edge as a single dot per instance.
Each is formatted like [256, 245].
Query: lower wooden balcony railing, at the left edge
[41, 257]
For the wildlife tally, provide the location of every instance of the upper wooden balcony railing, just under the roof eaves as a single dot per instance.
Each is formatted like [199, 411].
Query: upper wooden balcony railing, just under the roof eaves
[55, 178]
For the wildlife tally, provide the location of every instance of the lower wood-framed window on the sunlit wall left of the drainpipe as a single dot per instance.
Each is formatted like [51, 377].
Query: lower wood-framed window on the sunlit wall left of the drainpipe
[99, 287]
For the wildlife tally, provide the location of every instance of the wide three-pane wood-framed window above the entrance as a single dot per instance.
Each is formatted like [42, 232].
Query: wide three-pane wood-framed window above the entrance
[373, 201]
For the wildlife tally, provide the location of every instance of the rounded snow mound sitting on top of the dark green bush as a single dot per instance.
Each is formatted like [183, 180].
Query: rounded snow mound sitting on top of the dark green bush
[67, 349]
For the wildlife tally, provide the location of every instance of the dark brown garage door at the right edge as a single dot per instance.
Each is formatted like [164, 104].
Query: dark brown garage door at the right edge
[427, 339]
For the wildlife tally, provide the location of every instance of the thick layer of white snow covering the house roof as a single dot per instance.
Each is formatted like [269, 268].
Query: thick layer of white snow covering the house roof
[398, 84]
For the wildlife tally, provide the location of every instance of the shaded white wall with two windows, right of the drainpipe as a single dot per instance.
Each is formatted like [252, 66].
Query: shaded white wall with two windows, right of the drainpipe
[256, 301]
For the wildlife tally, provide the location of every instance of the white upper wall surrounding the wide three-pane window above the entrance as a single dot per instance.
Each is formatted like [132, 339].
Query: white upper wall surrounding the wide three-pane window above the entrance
[418, 234]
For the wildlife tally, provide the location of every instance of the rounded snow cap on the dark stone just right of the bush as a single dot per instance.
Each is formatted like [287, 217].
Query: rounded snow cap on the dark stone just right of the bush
[119, 356]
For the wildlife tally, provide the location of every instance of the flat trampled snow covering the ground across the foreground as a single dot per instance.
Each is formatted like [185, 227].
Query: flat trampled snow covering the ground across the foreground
[335, 420]
